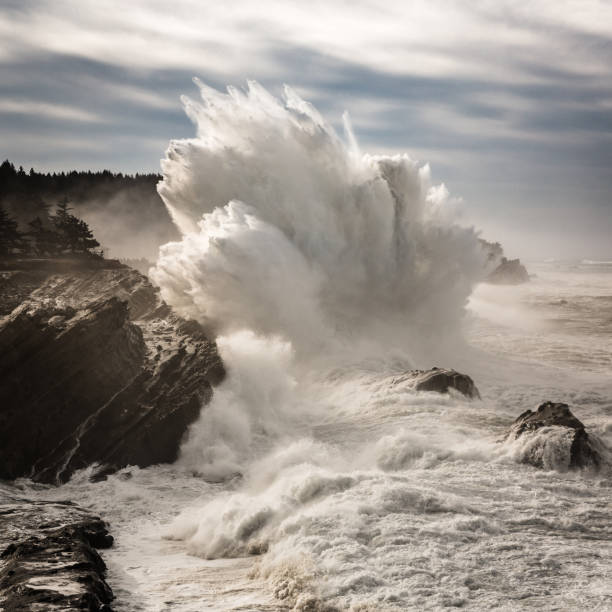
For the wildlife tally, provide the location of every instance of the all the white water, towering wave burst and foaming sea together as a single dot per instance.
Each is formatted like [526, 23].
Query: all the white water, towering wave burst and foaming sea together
[317, 478]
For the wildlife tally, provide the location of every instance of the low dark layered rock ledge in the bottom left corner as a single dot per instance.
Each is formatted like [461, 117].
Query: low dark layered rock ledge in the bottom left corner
[48, 558]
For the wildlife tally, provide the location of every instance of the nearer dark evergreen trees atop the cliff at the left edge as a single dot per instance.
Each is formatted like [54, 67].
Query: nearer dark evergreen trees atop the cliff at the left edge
[50, 236]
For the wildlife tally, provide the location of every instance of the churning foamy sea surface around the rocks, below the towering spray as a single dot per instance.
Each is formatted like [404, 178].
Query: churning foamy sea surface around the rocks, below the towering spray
[392, 500]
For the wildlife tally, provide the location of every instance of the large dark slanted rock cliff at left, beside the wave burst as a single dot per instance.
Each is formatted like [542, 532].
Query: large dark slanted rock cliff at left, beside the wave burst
[96, 368]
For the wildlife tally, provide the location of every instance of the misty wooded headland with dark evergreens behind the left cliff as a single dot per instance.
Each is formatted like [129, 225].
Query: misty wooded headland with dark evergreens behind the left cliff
[27, 197]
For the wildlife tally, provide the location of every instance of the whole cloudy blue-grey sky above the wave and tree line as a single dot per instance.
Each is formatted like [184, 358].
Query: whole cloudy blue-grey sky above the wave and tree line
[509, 102]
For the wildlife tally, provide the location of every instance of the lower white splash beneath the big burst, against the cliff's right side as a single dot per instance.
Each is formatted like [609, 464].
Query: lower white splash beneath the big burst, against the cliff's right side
[256, 404]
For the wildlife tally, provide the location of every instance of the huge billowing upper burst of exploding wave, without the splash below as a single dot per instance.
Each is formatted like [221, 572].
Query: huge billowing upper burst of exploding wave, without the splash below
[288, 230]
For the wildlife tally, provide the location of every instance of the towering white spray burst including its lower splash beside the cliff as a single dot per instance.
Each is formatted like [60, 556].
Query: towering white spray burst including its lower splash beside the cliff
[305, 256]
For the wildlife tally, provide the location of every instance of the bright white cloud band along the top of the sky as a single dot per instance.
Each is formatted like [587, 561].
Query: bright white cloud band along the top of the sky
[428, 38]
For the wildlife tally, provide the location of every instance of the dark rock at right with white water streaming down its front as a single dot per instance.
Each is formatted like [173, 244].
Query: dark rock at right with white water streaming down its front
[555, 438]
